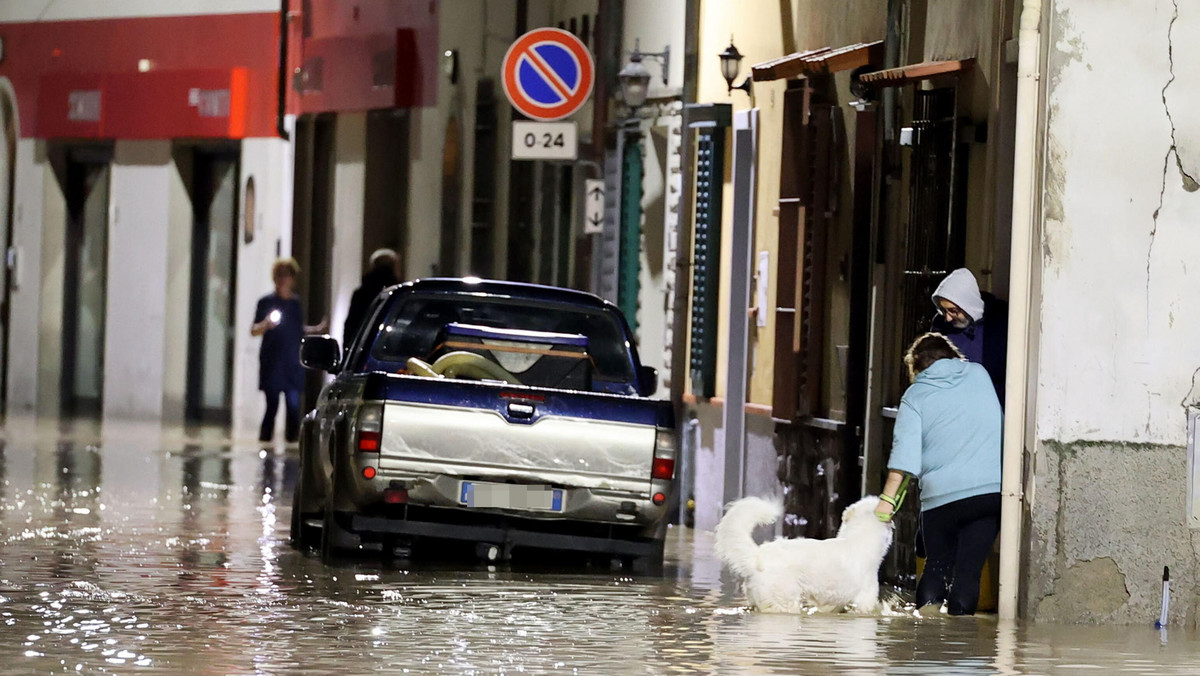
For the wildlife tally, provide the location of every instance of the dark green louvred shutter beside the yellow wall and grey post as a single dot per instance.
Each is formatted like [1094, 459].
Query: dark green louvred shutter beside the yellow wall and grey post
[706, 273]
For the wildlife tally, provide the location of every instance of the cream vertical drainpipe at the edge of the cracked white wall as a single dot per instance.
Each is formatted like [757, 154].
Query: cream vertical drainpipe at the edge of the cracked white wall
[1024, 230]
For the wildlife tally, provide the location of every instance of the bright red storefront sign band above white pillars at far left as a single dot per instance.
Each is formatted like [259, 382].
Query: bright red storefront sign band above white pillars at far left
[213, 76]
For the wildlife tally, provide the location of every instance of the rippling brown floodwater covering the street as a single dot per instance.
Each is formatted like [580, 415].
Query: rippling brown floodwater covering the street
[124, 558]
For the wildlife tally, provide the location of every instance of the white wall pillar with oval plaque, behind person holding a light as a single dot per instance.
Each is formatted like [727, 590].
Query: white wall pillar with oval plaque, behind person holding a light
[271, 161]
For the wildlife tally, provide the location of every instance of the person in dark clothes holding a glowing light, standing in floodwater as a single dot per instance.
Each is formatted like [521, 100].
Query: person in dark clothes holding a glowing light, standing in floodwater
[279, 319]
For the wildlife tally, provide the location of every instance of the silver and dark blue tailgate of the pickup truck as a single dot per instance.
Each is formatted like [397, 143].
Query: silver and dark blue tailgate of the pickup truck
[483, 430]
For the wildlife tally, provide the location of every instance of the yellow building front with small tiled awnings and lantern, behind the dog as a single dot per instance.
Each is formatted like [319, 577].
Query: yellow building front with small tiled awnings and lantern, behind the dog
[833, 244]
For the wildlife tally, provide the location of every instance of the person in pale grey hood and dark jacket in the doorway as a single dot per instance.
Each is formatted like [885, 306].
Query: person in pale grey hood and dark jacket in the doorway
[977, 325]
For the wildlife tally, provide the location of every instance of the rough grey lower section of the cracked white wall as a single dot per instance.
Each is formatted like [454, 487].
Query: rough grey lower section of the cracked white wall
[1107, 518]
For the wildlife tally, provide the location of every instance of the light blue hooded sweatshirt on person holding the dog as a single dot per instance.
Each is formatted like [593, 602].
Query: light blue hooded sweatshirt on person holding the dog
[949, 434]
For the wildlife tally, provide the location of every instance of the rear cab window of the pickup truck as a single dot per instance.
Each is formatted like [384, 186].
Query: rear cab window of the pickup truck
[562, 346]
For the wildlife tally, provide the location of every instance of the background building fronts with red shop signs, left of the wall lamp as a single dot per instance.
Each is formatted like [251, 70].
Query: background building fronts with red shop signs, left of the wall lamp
[163, 155]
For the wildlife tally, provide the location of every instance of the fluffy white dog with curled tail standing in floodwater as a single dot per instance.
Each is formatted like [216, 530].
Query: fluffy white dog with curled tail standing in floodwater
[794, 576]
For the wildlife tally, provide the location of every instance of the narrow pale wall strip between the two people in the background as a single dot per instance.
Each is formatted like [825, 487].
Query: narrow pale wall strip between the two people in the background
[350, 171]
